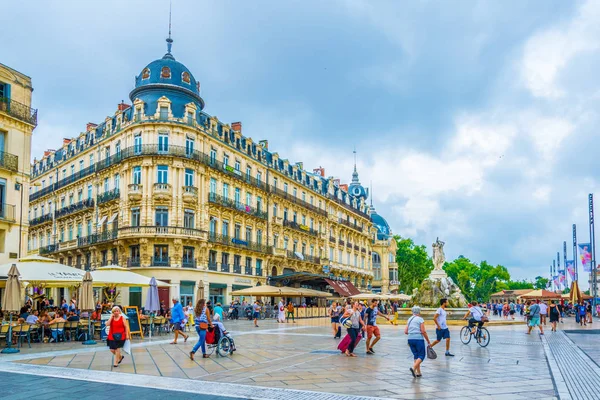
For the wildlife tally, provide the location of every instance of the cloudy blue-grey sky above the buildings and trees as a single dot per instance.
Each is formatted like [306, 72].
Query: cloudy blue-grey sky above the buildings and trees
[474, 121]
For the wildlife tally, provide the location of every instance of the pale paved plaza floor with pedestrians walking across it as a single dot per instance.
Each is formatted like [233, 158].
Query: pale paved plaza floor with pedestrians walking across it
[303, 357]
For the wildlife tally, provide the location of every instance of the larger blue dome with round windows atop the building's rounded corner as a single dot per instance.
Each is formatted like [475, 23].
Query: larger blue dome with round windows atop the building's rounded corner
[167, 77]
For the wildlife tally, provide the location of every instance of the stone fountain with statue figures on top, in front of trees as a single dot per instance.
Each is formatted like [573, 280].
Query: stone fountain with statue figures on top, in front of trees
[438, 285]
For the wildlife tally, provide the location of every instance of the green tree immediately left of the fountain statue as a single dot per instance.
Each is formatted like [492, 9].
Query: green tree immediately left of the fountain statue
[414, 264]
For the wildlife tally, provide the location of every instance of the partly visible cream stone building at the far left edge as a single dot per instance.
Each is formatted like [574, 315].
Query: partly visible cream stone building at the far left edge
[17, 122]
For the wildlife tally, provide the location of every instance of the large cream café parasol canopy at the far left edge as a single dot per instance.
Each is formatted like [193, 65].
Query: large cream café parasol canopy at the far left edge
[47, 270]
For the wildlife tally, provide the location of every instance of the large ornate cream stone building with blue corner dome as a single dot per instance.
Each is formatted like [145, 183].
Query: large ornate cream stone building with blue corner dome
[172, 192]
